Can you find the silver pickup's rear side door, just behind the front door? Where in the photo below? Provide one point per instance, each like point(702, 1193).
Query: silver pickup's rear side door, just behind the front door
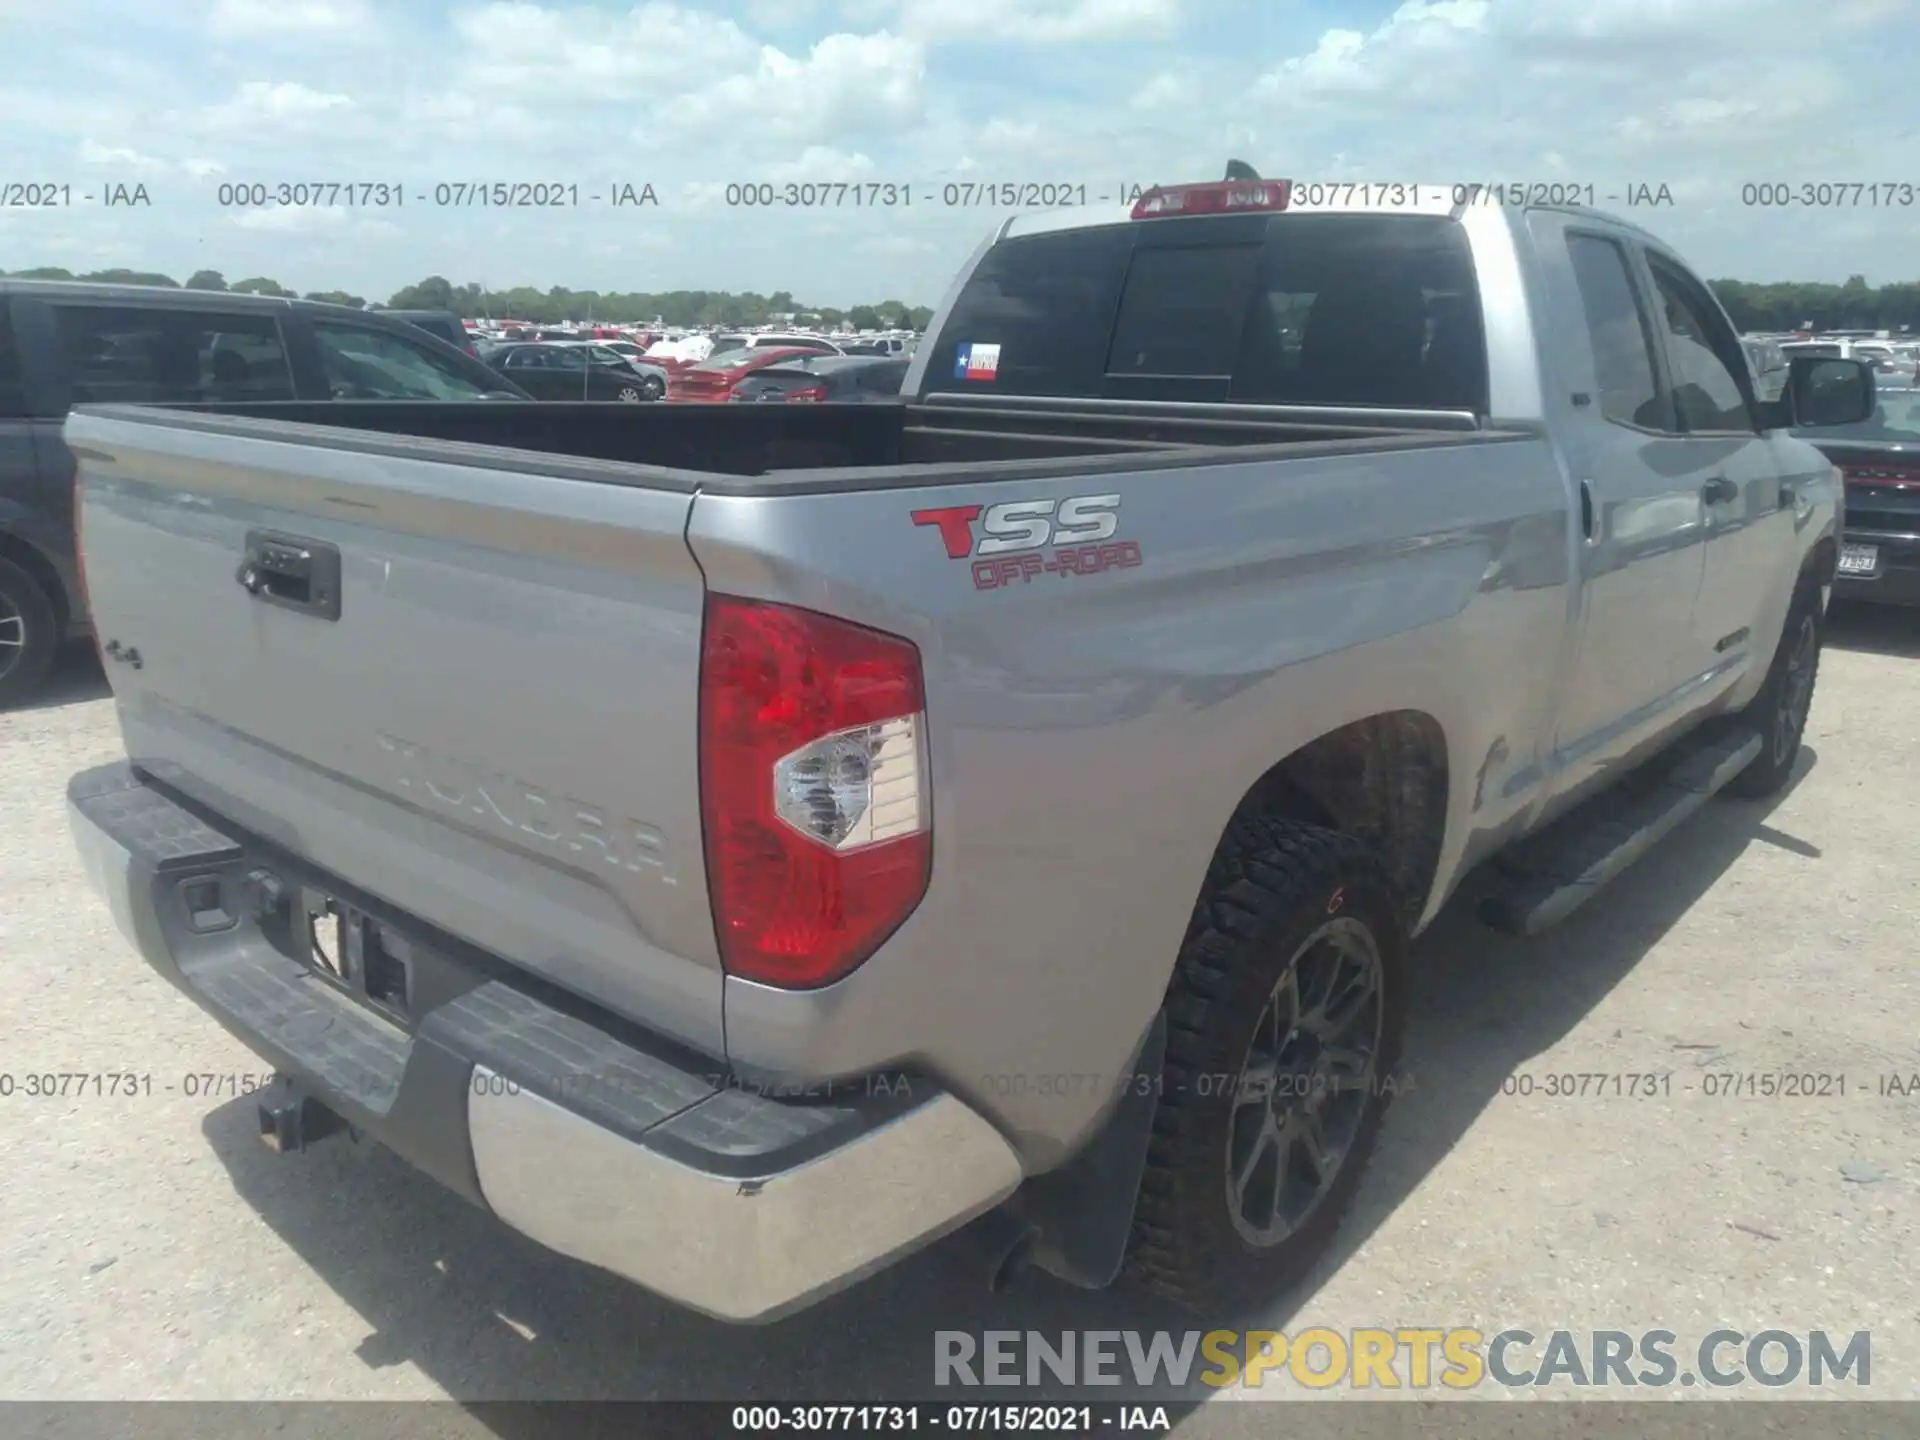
point(1641, 508)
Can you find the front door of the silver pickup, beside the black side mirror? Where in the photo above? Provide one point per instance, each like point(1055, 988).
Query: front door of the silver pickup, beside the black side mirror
point(1750, 540)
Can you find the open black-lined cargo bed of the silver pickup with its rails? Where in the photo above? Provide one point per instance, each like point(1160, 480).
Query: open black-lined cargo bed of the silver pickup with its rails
point(811, 448)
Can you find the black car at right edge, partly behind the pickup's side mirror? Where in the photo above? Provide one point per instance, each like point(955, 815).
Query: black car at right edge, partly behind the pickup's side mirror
point(1881, 466)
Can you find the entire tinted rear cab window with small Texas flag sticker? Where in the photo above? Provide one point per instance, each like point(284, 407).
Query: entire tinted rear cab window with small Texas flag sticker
point(1289, 310)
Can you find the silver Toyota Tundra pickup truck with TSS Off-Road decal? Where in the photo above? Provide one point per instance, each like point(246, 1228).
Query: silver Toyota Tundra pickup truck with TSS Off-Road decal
point(740, 846)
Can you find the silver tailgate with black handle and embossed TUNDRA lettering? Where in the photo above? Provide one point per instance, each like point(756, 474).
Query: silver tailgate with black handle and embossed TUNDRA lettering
point(496, 732)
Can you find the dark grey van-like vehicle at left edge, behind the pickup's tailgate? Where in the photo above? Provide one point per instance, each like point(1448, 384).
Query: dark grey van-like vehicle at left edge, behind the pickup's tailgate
point(68, 343)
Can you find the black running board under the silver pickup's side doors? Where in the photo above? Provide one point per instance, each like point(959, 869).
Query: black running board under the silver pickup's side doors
point(1552, 875)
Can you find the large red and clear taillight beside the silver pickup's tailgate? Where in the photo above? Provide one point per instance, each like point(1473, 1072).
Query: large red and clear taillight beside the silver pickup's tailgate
point(813, 790)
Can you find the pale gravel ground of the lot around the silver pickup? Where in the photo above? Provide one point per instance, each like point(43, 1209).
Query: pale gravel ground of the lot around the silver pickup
point(151, 1247)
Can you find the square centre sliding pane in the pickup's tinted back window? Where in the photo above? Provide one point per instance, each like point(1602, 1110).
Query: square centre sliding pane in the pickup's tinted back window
point(1184, 310)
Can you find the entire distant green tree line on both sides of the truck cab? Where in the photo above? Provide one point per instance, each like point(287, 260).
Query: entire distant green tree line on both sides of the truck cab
point(1752, 306)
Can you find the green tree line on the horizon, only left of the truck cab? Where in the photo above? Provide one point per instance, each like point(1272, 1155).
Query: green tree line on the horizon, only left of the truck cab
point(679, 308)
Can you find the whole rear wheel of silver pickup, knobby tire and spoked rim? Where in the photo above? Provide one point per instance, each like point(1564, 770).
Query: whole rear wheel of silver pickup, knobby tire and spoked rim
point(1284, 1028)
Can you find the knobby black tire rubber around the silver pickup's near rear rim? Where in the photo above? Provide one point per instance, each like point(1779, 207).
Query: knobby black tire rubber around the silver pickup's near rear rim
point(1272, 884)
